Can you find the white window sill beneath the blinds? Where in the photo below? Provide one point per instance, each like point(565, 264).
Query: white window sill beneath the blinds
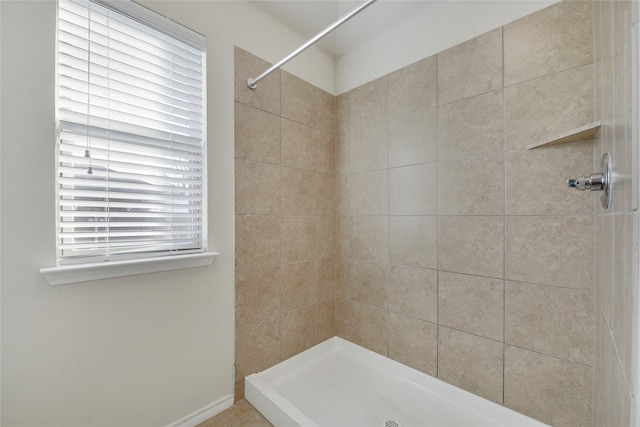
point(66, 274)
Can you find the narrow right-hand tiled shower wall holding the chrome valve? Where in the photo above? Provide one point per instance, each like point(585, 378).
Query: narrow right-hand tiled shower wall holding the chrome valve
point(616, 249)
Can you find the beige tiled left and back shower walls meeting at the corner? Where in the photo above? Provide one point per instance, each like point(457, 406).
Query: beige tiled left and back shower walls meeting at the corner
point(407, 216)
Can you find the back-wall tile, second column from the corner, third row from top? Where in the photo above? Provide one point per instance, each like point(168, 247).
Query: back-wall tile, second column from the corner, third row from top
point(370, 193)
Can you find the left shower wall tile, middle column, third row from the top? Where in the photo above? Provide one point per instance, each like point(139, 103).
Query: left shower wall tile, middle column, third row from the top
point(298, 192)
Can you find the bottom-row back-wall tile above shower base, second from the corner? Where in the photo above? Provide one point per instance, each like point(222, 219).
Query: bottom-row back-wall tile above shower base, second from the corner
point(370, 327)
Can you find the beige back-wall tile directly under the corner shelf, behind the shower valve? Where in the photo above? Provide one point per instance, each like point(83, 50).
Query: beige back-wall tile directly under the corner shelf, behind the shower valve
point(536, 180)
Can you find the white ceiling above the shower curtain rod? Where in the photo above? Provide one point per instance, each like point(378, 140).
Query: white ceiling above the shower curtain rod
point(309, 17)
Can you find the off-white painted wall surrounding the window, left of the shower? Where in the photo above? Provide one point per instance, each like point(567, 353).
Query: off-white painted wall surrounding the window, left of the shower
point(140, 350)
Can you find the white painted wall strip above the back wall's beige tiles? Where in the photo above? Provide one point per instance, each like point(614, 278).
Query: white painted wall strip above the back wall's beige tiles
point(436, 28)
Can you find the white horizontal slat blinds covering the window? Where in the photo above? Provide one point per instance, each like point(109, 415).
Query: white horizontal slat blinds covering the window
point(131, 149)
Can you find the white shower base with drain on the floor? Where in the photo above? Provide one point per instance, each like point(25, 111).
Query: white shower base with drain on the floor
point(338, 383)
